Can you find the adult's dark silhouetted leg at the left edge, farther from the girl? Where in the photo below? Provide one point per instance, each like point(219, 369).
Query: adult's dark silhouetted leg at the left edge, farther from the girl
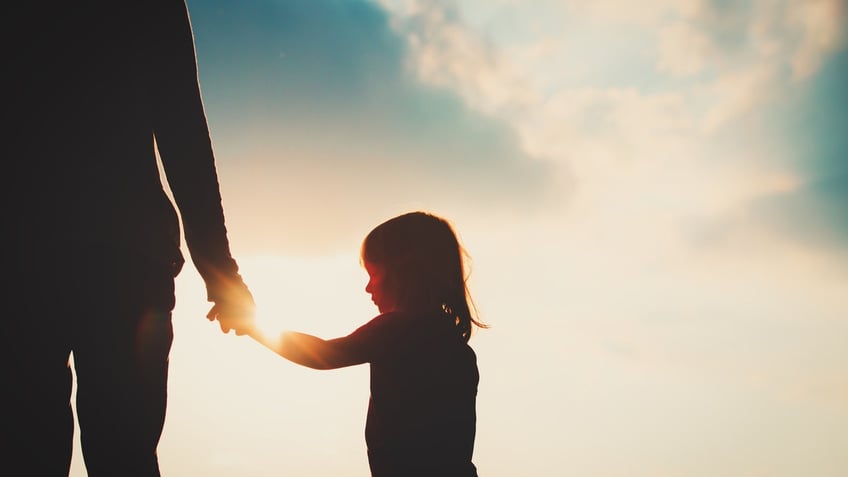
point(38, 423)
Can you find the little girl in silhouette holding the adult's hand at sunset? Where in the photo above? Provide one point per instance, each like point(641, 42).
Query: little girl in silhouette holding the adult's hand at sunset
point(421, 414)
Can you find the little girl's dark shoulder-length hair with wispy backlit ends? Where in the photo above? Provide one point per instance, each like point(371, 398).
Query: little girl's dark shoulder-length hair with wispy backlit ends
point(424, 265)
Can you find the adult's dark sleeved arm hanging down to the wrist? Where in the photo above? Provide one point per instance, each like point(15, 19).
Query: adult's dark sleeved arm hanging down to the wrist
point(185, 147)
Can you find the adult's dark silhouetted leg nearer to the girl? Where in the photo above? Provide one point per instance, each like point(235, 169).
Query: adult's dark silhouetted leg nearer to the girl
point(121, 360)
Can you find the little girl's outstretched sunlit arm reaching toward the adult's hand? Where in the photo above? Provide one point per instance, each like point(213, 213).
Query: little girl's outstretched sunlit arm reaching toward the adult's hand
point(310, 351)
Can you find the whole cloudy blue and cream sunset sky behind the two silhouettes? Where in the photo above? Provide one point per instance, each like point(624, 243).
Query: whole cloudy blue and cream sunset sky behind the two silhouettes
point(654, 195)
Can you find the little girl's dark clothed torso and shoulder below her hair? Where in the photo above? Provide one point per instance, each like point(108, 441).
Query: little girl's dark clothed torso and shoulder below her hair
point(422, 410)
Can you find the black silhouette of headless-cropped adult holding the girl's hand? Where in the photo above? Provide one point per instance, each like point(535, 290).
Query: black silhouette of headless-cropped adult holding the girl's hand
point(93, 88)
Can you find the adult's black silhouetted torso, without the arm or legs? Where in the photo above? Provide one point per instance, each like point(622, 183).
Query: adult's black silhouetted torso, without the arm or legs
point(83, 155)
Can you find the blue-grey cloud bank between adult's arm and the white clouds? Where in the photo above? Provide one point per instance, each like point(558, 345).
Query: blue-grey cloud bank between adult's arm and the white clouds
point(319, 121)
